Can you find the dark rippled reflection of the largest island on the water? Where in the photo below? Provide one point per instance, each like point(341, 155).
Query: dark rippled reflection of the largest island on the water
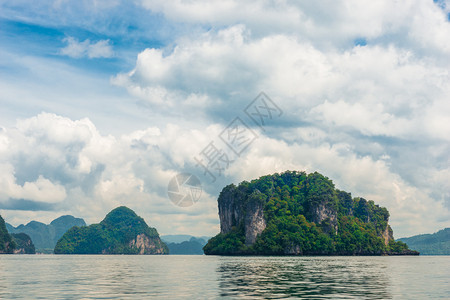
point(309, 277)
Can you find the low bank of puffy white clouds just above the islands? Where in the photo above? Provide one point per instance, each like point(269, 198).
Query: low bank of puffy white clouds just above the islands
point(55, 160)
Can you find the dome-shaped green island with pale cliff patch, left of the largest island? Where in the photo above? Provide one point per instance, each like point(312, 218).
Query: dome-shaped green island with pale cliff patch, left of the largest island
point(120, 232)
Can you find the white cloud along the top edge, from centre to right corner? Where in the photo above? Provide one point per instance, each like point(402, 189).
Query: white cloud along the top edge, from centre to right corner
point(422, 23)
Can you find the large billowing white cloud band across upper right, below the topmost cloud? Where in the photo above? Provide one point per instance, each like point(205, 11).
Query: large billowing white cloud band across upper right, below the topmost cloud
point(375, 89)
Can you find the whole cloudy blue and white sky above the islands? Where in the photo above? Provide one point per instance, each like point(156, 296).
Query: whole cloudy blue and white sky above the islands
point(103, 102)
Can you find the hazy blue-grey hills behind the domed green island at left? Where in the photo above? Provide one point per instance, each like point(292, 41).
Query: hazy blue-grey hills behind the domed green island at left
point(45, 236)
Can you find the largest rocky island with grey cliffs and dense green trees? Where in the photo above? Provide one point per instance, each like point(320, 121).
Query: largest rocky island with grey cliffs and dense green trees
point(294, 213)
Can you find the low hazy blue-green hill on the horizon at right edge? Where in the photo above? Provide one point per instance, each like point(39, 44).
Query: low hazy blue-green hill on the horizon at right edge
point(437, 243)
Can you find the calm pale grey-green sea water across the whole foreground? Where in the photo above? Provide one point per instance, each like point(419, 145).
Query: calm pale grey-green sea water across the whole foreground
point(210, 277)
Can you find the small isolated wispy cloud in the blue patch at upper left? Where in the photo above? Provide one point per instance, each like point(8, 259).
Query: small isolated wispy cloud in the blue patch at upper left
point(86, 48)
